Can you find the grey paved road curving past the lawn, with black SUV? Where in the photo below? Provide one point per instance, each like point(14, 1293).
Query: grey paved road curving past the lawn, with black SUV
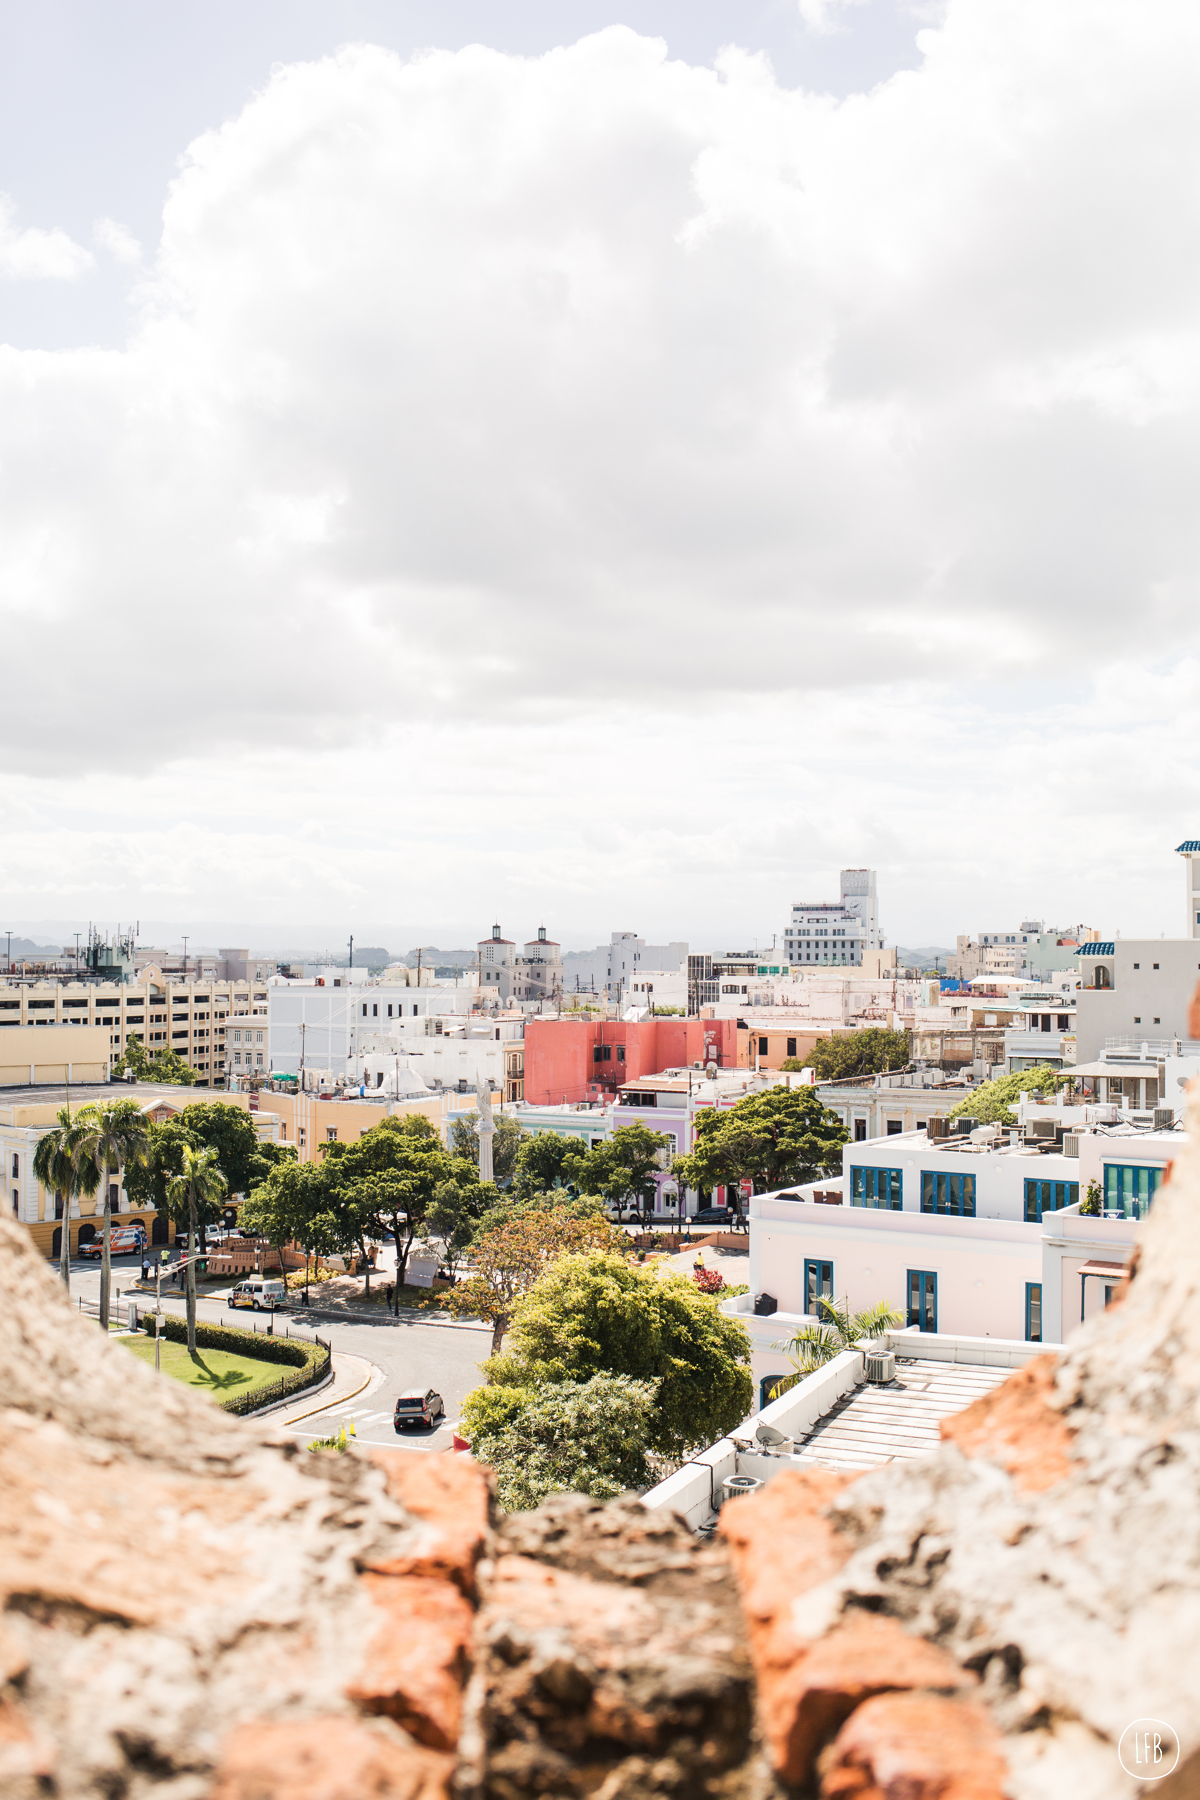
point(409, 1354)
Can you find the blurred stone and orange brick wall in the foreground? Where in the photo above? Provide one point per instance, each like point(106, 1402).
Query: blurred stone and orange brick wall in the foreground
point(193, 1610)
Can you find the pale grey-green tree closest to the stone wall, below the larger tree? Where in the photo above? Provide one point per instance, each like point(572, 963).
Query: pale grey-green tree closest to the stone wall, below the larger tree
point(568, 1437)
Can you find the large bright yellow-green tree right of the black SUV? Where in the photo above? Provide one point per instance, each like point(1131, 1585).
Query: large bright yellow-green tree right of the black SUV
point(598, 1313)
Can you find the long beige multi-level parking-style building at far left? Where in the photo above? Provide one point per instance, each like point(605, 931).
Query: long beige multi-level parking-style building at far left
point(192, 1018)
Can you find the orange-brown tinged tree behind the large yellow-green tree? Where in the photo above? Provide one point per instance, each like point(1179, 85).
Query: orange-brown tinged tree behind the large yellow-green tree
point(514, 1255)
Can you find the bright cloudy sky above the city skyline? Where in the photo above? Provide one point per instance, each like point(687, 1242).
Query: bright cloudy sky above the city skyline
point(598, 465)
